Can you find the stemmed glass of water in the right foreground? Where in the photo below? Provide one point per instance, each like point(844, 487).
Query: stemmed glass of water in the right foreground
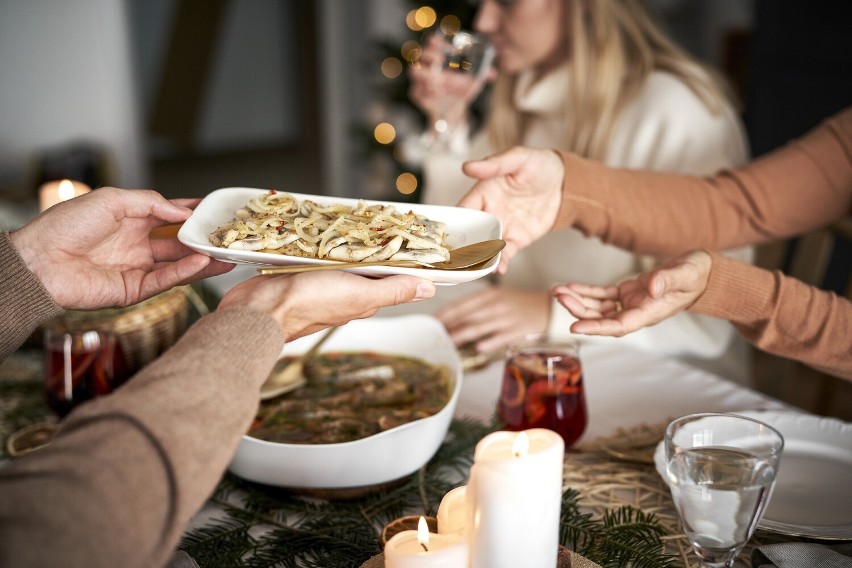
point(721, 470)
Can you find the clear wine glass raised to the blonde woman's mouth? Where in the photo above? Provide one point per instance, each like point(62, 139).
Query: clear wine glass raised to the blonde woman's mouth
point(459, 68)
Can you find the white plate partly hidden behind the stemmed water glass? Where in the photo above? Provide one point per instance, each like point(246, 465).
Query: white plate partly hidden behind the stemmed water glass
point(813, 492)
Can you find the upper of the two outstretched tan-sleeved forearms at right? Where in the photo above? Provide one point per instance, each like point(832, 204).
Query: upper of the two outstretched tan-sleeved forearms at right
point(666, 214)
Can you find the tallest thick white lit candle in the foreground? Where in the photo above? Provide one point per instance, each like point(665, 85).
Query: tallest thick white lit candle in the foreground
point(514, 498)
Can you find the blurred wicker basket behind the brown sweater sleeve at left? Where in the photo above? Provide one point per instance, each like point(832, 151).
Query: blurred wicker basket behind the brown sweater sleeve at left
point(146, 329)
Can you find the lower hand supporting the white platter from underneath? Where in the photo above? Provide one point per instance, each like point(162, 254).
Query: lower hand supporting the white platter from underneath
point(308, 302)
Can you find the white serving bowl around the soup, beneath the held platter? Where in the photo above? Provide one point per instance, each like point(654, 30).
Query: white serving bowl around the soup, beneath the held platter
point(377, 459)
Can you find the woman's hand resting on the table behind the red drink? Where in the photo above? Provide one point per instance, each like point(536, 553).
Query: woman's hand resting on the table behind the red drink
point(496, 317)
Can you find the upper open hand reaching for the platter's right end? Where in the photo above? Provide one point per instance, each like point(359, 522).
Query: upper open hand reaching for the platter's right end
point(523, 188)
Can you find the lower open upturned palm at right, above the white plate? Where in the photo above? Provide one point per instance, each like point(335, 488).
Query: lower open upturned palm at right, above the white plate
point(648, 299)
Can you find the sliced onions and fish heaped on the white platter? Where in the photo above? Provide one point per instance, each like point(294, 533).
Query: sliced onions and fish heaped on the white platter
point(277, 222)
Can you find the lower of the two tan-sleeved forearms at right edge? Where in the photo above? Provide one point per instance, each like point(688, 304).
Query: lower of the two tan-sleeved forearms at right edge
point(781, 315)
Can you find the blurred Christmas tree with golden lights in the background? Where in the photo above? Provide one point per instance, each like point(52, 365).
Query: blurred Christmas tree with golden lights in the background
point(393, 118)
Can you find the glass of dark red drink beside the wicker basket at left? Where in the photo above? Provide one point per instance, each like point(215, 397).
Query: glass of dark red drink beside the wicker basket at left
point(80, 365)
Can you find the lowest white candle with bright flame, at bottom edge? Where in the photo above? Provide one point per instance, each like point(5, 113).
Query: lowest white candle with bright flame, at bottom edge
point(422, 549)
